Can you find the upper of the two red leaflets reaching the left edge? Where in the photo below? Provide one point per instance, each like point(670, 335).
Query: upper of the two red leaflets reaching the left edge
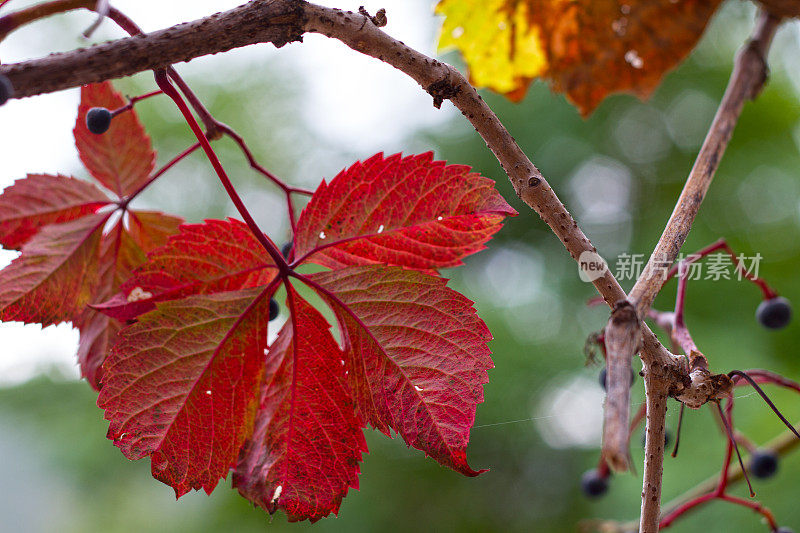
point(41, 199)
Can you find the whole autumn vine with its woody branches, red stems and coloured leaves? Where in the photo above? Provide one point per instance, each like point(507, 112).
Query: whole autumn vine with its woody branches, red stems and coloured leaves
point(175, 319)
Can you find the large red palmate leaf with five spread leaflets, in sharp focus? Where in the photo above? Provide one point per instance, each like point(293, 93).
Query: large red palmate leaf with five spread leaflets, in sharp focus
point(414, 354)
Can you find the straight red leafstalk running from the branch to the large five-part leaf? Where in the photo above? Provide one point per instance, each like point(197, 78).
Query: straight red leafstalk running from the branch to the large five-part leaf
point(163, 82)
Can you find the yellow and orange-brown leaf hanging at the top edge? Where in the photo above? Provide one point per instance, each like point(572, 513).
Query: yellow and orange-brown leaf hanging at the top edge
point(585, 48)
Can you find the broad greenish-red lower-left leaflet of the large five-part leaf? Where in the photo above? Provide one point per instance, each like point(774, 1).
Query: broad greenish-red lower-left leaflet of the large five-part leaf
point(182, 385)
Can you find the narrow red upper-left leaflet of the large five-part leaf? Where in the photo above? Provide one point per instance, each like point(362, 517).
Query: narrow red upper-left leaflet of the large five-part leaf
point(203, 258)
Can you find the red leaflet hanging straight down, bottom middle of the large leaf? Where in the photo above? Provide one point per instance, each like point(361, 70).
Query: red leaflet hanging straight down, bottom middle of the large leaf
point(307, 442)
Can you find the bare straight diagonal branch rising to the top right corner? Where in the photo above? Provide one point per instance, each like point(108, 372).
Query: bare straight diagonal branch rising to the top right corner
point(747, 79)
